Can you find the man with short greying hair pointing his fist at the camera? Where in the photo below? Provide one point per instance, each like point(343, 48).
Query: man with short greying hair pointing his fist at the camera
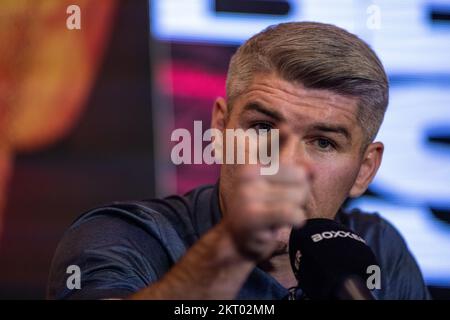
point(326, 92)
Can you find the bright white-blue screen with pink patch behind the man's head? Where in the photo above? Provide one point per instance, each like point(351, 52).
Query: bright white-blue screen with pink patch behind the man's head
point(412, 189)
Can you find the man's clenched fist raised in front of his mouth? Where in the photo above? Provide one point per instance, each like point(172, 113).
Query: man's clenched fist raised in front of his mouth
point(262, 206)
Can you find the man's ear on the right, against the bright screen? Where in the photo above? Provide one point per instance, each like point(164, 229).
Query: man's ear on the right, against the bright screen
point(370, 163)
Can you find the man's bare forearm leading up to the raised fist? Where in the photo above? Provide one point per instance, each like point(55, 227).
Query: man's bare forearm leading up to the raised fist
point(212, 269)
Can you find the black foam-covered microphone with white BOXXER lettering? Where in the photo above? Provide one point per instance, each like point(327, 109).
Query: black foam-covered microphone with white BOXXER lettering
point(330, 261)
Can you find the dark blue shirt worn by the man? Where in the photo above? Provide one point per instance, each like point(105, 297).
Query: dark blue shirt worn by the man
point(126, 246)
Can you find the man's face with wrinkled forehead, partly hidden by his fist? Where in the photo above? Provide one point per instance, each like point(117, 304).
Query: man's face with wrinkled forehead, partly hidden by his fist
point(318, 130)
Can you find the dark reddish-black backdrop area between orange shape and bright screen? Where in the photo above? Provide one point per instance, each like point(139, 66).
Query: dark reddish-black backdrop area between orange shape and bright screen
point(107, 157)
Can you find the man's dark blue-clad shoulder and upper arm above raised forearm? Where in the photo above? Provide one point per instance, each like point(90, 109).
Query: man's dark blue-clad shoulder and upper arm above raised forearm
point(128, 245)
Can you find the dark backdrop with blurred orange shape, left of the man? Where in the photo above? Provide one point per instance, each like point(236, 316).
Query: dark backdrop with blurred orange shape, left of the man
point(75, 125)
